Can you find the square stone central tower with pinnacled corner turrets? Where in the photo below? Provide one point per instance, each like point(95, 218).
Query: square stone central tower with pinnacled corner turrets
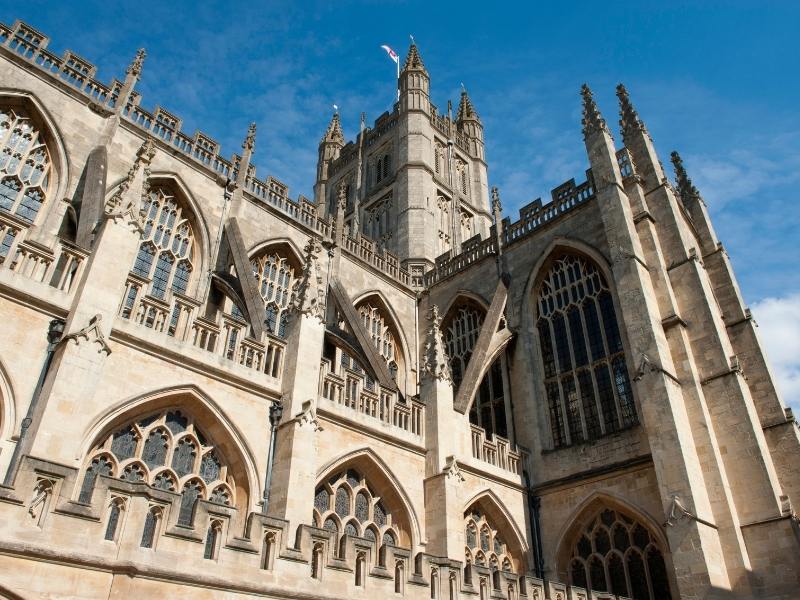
point(416, 182)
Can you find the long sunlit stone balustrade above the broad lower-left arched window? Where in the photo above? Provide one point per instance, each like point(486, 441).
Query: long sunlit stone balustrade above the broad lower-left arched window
point(178, 317)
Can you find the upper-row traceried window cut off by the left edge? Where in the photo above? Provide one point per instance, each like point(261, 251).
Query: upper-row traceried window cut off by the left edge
point(25, 165)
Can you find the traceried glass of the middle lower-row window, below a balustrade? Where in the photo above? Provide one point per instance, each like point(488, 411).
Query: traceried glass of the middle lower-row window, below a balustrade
point(346, 504)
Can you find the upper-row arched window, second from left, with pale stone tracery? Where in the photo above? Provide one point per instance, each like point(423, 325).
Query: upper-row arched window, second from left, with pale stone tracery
point(166, 251)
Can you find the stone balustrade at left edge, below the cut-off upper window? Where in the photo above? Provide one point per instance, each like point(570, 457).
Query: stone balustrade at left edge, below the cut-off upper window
point(60, 268)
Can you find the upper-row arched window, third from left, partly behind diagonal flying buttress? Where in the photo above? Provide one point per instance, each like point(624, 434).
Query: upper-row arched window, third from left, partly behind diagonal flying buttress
point(276, 277)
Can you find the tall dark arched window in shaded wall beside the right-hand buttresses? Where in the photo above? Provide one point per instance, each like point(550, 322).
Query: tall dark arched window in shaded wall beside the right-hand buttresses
point(586, 378)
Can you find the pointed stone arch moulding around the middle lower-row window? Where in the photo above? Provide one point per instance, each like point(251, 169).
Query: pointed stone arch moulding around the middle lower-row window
point(385, 484)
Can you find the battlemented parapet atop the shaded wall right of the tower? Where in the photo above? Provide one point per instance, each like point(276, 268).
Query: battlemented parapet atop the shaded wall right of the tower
point(533, 216)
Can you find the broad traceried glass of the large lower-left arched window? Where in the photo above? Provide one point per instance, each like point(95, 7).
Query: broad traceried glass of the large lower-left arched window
point(166, 451)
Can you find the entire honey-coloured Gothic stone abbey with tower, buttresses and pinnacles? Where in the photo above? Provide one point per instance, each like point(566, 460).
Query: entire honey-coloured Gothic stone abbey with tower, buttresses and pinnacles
point(392, 390)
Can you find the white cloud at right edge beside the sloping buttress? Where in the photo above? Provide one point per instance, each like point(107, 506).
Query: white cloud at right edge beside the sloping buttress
point(779, 328)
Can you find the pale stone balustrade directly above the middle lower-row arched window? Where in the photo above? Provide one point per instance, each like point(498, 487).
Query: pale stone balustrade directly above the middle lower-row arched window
point(356, 391)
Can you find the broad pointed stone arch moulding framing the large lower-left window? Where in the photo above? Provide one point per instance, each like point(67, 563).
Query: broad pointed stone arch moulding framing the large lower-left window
point(213, 419)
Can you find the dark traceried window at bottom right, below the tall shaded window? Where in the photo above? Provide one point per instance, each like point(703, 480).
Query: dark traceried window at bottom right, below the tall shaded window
point(618, 554)
